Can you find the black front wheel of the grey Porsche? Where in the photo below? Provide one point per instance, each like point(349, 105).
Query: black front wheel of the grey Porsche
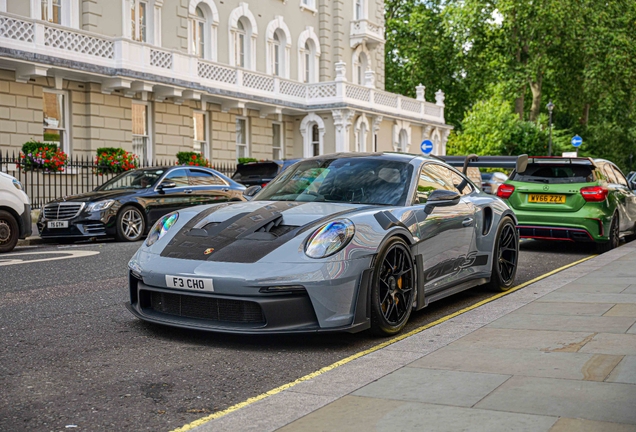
point(393, 288)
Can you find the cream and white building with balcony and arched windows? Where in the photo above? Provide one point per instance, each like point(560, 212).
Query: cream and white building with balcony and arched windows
point(261, 78)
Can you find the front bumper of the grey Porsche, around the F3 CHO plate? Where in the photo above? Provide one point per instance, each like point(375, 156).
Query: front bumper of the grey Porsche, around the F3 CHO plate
point(239, 305)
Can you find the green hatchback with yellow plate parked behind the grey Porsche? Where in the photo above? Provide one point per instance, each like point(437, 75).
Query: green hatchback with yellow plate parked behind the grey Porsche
point(572, 199)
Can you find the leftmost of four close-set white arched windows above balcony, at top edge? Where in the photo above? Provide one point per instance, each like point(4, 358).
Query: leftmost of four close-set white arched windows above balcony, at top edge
point(203, 23)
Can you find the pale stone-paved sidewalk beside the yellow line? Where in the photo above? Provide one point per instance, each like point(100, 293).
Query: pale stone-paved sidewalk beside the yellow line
point(557, 355)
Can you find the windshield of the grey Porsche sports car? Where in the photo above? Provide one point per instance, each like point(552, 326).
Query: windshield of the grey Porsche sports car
point(361, 180)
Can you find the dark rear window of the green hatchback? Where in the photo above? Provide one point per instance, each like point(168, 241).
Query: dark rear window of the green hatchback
point(555, 174)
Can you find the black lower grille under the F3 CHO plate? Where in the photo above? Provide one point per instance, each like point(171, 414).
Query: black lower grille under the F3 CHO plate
point(213, 309)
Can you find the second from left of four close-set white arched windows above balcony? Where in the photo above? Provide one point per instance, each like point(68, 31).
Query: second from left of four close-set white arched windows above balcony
point(243, 34)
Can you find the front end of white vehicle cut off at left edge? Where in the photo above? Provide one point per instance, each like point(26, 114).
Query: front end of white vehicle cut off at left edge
point(15, 213)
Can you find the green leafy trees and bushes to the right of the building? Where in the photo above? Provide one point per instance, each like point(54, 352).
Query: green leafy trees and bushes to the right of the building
point(580, 54)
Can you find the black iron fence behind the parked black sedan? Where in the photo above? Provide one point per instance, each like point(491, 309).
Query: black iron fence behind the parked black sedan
point(81, 174)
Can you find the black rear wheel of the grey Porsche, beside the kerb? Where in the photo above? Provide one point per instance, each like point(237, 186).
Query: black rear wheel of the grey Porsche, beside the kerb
point(505, 256)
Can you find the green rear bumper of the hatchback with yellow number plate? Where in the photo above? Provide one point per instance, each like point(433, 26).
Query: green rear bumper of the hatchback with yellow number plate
point(581, 226)
